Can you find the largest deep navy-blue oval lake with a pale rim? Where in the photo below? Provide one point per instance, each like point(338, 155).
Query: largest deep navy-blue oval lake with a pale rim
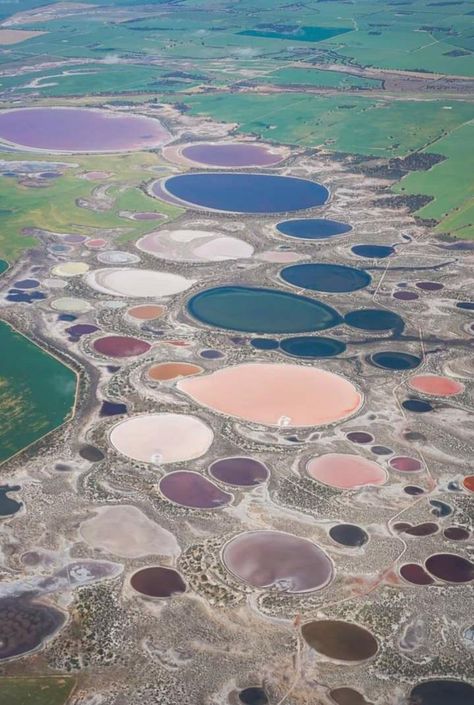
point(246, 193)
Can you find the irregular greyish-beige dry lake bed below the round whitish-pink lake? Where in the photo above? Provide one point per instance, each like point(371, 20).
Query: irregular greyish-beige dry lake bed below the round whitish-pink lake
point(126, 531)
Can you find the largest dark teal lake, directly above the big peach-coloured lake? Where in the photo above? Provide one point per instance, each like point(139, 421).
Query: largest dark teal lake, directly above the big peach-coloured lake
point(259, 310)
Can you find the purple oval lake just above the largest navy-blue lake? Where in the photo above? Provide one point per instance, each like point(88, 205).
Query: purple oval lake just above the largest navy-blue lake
point(231, 154)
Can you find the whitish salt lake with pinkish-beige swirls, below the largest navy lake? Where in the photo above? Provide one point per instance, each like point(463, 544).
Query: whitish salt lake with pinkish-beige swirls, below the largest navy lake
point(194, 246)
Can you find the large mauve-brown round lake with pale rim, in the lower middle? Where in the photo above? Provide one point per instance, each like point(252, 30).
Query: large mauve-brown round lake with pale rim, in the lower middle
point(265, 559)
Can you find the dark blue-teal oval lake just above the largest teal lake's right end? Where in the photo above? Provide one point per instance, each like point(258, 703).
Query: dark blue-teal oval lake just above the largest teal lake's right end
point(330, 278)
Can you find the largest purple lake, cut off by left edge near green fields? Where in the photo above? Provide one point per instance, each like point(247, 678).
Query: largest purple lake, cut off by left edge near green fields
point(80, 130)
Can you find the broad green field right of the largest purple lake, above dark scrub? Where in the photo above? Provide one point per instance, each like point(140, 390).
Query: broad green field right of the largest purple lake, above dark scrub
point(349, 124)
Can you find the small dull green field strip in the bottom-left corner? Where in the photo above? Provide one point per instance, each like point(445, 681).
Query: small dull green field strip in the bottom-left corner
point(47, 690)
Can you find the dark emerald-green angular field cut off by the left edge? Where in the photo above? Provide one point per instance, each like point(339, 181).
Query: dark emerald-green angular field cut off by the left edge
point(36, 392)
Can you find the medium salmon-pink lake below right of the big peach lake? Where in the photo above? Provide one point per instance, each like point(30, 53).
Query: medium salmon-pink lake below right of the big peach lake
point(346, 471)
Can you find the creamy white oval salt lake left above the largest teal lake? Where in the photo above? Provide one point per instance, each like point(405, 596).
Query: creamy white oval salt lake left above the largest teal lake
point(137, 282)
